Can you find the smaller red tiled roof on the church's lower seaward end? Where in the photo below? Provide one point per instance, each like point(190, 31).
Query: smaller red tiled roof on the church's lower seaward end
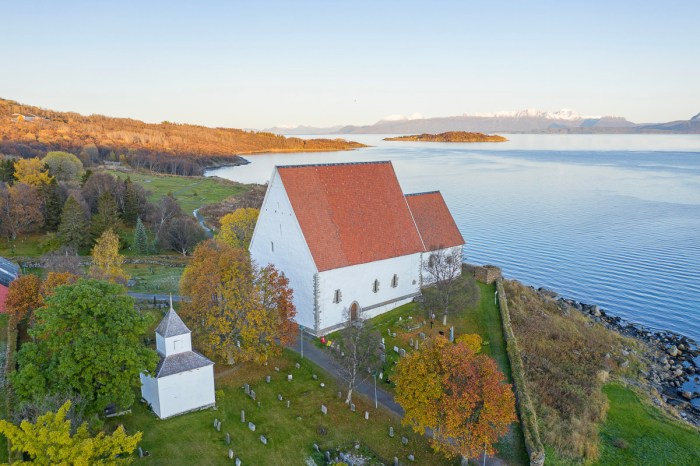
point(435, 224)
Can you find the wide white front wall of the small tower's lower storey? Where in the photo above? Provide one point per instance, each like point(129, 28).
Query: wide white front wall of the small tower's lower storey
point(186, 391)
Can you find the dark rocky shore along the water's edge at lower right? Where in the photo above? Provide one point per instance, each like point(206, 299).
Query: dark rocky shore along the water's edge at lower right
point(673, 363)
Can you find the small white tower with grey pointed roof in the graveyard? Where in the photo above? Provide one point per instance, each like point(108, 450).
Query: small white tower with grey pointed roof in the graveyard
point(184, 379)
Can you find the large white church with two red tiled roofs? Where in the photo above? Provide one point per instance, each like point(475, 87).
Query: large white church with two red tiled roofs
point(349, 240)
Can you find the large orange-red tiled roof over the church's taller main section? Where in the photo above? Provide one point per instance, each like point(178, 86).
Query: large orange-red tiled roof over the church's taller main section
point(350, 213)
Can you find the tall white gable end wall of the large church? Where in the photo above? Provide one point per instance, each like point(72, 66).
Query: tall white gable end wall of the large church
point(278, 225)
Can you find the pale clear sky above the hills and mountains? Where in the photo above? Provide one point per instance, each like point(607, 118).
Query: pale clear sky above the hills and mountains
point(258, 64)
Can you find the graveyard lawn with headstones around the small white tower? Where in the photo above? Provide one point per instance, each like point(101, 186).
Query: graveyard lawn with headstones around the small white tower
point(291, 432)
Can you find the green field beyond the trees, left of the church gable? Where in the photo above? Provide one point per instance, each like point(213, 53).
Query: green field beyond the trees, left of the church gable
point(191, 192)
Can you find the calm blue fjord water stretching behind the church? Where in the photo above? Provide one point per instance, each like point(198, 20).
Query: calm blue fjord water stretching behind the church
point(606, 219)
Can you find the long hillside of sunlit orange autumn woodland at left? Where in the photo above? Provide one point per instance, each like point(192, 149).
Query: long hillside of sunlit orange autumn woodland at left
point(27, 130)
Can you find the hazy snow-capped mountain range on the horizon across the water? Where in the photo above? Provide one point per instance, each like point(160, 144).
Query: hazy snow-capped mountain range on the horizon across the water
point(524, 121)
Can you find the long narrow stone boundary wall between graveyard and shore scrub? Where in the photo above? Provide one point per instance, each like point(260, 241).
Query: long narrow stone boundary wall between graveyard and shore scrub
point(528, 416)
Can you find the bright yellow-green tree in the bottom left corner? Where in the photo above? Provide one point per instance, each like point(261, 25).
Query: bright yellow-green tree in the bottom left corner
point(50, 441)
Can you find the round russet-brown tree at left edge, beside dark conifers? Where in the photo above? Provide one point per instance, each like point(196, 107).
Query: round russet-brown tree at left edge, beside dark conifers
point(20, 209)
